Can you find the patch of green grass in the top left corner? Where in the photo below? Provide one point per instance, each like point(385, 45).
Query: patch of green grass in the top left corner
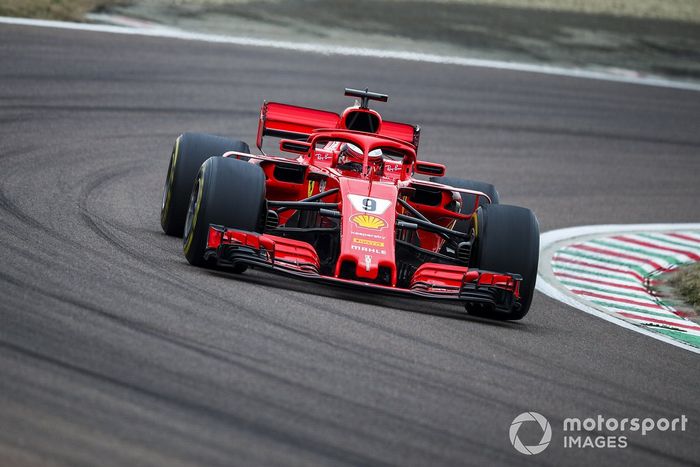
point(68, 10)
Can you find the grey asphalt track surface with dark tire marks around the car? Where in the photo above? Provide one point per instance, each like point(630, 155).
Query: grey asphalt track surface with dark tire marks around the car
point(114, 351)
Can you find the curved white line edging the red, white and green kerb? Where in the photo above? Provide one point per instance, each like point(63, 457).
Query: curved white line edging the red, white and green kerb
point(546, 286)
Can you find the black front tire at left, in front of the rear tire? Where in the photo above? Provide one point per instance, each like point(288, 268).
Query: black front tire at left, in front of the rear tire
point(226, 192)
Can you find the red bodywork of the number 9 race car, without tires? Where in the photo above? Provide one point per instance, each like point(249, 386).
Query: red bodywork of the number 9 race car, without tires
point(365, 218)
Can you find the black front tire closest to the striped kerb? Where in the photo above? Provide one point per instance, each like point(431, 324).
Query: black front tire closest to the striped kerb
point(508, 241)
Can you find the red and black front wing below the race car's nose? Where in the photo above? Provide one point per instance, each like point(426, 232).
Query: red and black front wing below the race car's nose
point(229, 247)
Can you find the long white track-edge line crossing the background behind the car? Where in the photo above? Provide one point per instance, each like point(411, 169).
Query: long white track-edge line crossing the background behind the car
point(626, 76)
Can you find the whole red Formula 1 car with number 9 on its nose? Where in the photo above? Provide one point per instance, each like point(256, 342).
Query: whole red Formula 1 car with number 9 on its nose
point(347, 209)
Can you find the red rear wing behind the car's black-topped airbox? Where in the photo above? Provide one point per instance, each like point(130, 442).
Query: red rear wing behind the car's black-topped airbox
point(294, 122)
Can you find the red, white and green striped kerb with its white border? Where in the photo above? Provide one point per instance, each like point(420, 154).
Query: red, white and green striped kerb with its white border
point(611, 271)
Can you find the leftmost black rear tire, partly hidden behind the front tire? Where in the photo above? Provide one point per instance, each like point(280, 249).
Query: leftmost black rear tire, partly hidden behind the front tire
point(189, 152)
